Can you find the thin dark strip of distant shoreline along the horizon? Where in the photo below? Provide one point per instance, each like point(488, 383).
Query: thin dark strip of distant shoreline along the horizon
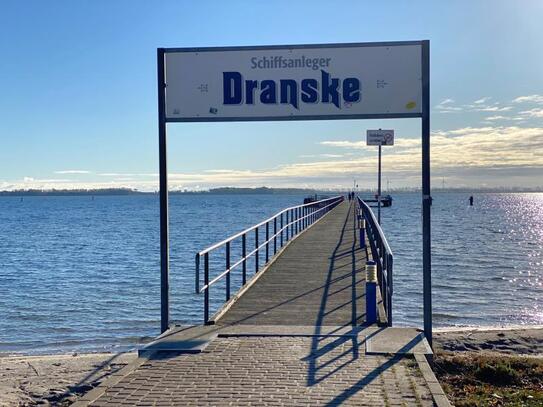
point(246, 191)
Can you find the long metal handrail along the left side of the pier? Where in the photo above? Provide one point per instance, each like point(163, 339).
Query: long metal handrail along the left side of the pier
point(286, 224)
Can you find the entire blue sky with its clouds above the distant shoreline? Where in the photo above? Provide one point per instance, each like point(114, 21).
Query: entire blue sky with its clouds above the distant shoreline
point(78, 82)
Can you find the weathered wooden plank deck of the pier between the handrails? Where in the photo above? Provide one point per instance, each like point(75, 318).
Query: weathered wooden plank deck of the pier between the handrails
point(318, 280)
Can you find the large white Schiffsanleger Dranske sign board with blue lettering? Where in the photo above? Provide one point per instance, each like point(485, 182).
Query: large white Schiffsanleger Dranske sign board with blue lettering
point(294, 82)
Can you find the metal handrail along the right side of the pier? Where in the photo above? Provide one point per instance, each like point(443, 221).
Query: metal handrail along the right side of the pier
point(382, 255)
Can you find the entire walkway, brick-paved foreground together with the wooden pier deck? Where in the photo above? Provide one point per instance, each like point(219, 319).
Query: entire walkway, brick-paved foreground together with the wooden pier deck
point(295, 335)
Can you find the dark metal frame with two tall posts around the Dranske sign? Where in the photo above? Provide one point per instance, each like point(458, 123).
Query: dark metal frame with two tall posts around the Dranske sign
point(424, 115)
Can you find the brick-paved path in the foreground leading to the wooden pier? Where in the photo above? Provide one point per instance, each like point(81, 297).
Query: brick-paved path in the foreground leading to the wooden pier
point(273, 371)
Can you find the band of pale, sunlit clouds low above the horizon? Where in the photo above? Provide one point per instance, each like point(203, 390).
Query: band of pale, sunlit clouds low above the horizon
point(458, 153)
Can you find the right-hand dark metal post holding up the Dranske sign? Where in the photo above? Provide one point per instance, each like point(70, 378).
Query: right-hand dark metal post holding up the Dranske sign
point(426, 198)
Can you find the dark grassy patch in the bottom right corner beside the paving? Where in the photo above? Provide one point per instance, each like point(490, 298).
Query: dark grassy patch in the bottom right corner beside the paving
point(490, 380)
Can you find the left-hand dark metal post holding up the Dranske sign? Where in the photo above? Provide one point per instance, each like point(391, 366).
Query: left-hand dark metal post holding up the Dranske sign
point(163, 182)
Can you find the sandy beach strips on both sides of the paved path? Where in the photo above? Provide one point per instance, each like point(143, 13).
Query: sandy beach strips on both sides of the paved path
point(60, 379)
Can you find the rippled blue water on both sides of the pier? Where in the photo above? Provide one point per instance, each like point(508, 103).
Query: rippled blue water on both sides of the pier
point(83, 274)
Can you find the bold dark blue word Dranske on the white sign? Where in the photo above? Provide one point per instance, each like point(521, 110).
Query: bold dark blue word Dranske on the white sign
point(237, 91)
